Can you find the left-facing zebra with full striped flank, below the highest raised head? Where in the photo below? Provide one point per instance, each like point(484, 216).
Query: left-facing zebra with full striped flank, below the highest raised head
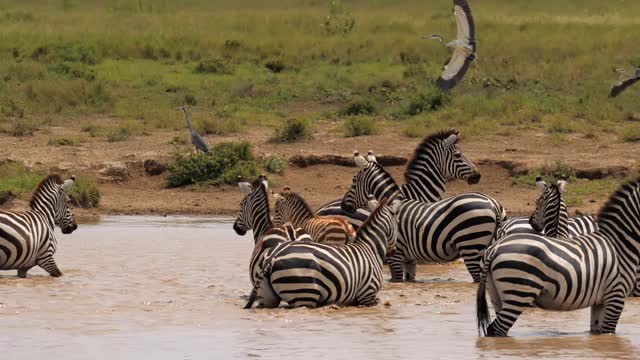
point(461, 226)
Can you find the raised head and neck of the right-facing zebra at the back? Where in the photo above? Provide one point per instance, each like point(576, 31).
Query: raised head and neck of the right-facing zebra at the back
point(437, 159)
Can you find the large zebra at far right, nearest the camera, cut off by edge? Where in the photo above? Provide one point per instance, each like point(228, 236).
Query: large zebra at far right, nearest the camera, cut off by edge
point(596, 270)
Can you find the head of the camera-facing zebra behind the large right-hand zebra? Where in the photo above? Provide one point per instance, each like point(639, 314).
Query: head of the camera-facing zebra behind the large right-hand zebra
point(549, 207)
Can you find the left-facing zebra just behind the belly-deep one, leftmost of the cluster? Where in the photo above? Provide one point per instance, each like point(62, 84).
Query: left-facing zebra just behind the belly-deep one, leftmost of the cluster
point(254, 215)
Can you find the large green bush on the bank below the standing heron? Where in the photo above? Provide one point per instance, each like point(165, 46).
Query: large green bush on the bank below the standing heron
point(221, 165)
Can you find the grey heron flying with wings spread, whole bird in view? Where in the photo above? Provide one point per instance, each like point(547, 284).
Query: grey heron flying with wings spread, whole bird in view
point(464, 47)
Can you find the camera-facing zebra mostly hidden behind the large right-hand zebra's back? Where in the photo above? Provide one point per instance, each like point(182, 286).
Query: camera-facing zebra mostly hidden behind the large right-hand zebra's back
point(569, 227)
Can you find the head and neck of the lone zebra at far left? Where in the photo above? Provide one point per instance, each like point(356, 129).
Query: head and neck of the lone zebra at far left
point(50, 197)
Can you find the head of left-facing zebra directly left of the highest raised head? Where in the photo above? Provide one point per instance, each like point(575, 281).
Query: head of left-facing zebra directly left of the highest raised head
point(371, 179)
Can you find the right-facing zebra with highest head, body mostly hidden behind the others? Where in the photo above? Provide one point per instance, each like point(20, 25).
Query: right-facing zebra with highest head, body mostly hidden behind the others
point(435, 160)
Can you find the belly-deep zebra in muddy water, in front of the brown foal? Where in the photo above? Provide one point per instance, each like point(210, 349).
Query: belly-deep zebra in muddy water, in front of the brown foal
point(312, 275)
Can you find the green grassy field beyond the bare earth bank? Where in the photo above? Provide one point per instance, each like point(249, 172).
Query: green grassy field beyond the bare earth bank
point(542, 64)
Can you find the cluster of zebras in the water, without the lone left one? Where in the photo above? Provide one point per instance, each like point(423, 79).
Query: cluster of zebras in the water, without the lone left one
point(548, 260)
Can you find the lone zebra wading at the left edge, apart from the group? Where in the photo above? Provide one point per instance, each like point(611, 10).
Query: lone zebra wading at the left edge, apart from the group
point(27, 238)
